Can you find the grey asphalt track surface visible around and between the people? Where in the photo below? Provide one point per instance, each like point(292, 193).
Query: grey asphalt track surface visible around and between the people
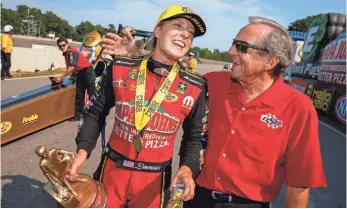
point(22, 179)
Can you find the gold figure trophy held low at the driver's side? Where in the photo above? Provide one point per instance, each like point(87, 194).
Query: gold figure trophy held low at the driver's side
point(85, 192)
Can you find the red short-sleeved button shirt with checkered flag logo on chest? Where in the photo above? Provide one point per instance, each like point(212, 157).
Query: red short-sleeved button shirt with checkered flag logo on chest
point(254, 147)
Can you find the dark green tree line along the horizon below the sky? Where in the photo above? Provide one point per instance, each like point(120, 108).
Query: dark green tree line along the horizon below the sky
point(51, 22)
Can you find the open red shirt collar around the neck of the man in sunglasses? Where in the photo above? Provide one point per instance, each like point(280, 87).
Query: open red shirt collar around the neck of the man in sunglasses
point(275, 93)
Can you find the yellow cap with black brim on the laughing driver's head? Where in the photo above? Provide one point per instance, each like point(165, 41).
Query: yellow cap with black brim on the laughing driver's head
point(176, 11)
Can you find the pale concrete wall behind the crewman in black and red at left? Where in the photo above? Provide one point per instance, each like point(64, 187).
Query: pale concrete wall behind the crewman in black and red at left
point(28, 59)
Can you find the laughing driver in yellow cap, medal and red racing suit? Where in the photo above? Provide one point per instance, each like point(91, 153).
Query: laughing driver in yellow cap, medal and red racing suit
point(153, 96)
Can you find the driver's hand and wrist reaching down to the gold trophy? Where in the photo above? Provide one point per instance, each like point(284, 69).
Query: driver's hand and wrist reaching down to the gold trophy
point(77, 164)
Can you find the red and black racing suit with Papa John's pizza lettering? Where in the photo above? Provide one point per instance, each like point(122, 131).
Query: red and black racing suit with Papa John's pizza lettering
point(142, 179)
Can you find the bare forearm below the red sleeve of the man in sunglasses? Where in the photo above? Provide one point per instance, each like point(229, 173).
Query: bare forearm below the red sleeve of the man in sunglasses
point(296, 197)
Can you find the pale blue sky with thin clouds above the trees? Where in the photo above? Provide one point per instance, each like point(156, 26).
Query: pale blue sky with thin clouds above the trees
point(223, 18)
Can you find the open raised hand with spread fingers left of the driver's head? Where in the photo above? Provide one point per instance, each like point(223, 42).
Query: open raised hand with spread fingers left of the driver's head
point(117, 45)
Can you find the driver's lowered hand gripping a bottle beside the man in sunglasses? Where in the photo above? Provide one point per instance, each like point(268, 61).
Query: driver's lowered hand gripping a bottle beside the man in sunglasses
point(184, 175)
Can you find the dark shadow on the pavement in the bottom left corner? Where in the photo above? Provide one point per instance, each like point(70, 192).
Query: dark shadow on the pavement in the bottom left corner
point(20, 191)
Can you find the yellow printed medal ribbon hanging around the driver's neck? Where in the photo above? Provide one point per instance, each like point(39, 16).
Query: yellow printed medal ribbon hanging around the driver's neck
point(142, 115)
